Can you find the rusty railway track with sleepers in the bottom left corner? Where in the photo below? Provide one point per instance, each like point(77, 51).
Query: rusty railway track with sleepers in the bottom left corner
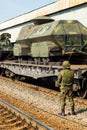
point(12, 118)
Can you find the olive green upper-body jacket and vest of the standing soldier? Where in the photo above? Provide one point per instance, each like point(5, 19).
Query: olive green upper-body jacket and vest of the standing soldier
point(66, 77)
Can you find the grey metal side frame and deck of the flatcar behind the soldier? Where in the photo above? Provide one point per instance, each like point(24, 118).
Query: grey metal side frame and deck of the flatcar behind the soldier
point(40, 71)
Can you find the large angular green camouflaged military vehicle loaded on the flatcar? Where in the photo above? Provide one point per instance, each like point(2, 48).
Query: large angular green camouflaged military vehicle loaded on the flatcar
point(52, 41)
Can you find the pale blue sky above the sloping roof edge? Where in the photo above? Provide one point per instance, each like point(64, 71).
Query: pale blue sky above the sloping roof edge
point(13, 8)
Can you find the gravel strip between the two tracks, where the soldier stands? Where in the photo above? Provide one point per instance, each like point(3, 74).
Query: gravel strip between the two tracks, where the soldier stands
point(44, 104)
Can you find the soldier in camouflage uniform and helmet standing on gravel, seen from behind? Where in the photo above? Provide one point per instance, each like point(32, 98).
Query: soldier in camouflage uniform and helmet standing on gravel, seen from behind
point(65, 80)
